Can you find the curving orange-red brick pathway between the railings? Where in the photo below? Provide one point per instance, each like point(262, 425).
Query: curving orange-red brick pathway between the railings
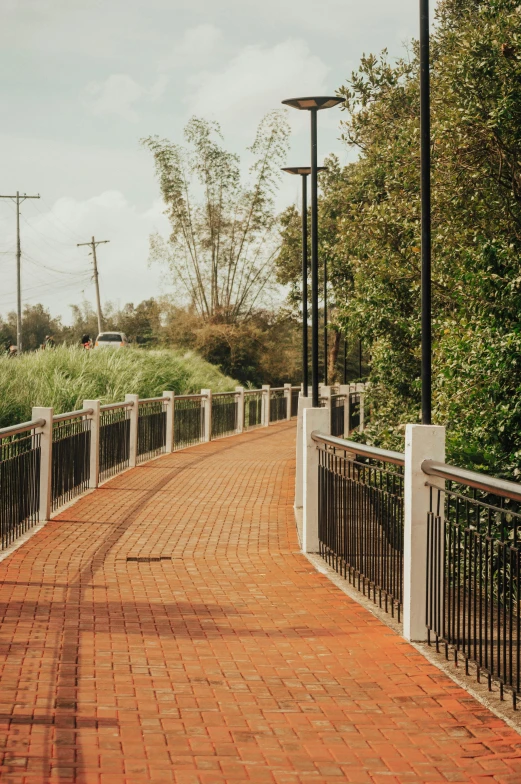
point(225, 659)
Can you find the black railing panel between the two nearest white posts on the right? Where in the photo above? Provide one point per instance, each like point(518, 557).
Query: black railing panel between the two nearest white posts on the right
point(360, 525)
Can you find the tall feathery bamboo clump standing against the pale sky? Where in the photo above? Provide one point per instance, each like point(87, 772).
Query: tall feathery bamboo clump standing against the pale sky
point(223, 238)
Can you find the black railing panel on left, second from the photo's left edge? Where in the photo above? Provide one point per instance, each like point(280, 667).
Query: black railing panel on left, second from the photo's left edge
point(70, 457)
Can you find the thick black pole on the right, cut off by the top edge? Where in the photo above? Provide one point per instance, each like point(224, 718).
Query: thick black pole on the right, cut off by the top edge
point(426, 242)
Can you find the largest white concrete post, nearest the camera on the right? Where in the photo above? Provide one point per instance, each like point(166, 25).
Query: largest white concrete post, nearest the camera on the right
point(422, 442)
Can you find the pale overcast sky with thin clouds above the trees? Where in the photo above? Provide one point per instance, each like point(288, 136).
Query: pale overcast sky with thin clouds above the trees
point(83, 80)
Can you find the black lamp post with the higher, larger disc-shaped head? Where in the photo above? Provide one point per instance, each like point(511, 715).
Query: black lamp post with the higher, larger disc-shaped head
point(314, 105)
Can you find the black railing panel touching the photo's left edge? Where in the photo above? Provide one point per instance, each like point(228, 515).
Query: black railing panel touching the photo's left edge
point(19, 483)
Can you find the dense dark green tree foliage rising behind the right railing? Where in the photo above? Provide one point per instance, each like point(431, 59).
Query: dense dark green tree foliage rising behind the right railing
point(371, 232)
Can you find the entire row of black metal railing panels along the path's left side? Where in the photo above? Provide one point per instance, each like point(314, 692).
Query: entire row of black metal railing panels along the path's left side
point(72, 439)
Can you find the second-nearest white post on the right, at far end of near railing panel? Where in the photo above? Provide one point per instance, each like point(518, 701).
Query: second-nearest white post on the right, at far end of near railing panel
point(314, 419)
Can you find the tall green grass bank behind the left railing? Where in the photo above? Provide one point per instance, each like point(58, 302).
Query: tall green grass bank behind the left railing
point(65, 376)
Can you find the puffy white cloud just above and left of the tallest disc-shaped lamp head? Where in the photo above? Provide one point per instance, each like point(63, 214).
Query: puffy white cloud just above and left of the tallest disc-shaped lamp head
point(257, 79)
